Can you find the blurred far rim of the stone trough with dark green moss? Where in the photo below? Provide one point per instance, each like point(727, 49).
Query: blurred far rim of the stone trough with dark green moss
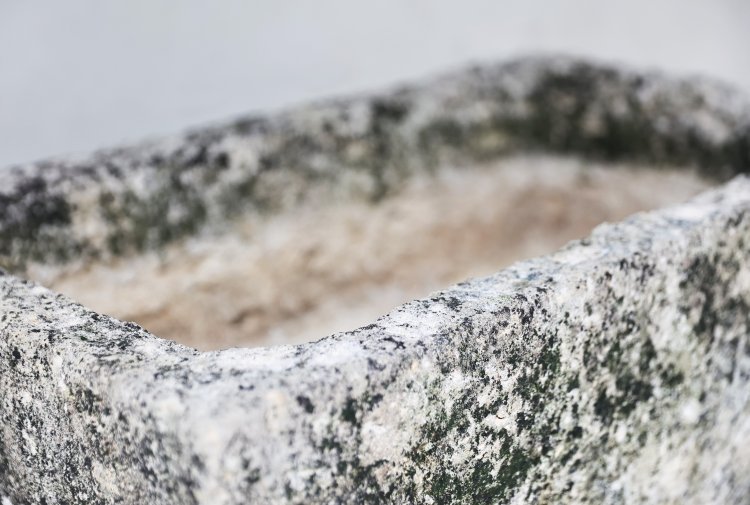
point(132, 199)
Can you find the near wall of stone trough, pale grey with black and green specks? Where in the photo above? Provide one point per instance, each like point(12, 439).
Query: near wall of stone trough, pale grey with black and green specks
point(614, 371)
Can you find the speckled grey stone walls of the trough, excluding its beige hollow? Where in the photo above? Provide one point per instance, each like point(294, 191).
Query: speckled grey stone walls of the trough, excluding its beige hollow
point(614, 371)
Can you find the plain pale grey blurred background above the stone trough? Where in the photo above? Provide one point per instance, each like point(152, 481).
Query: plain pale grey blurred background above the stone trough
point(81, 74)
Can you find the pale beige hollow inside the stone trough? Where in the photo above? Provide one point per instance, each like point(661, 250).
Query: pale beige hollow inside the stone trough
point(302, 275)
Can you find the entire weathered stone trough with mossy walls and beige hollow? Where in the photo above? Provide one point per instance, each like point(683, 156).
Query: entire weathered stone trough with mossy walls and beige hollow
point(615, 370)
